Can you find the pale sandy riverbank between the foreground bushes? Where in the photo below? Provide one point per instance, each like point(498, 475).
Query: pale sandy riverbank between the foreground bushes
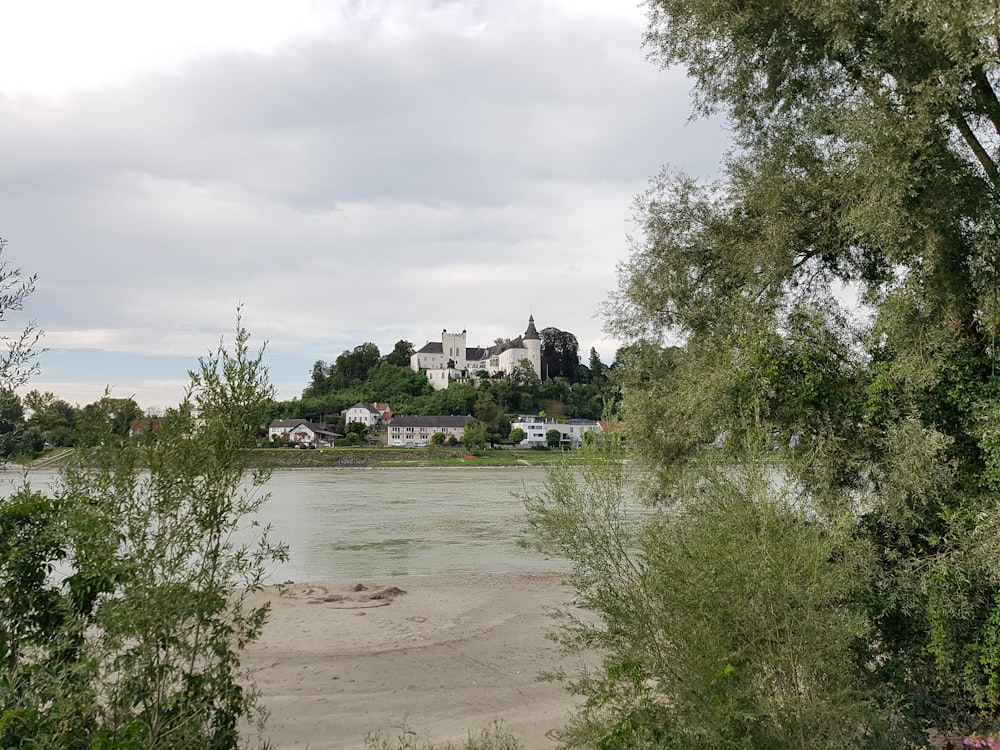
point(451, 654)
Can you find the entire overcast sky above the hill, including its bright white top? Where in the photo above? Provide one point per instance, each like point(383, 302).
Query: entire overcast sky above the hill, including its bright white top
point(348, 170)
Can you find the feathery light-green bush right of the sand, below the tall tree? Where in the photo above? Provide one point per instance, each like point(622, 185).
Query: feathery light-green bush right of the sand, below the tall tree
point(723, 620)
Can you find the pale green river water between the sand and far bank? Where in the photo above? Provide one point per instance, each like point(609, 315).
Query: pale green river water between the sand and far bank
point(372, 522)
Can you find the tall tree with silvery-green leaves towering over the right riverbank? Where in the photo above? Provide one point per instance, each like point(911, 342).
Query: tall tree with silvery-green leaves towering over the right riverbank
point(866, 158)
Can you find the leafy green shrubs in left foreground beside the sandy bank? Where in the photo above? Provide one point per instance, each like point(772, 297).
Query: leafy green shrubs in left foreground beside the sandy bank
point(137, 642)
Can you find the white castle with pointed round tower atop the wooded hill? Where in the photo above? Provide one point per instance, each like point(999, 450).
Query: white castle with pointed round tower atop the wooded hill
point(453, 360)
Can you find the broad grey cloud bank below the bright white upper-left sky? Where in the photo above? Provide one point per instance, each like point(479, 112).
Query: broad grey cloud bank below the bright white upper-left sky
point(474, 176)
